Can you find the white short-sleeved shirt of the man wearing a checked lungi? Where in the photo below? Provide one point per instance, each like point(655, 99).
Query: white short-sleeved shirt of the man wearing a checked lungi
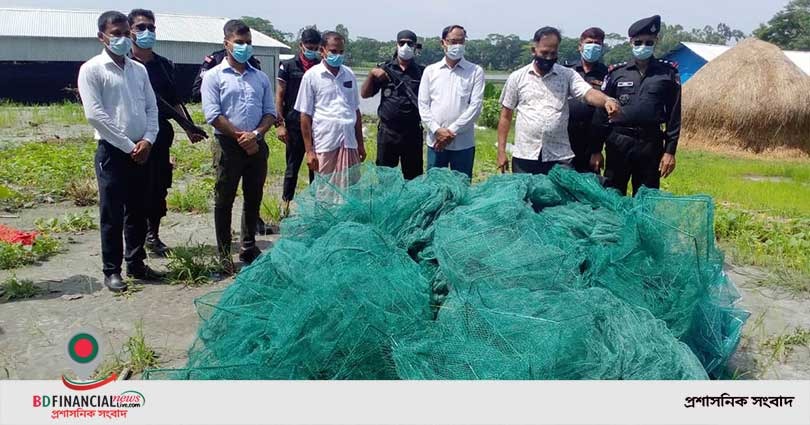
point(332, 101)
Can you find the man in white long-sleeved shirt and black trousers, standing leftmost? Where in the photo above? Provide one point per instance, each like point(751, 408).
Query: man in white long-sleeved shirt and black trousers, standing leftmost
point(120, 105)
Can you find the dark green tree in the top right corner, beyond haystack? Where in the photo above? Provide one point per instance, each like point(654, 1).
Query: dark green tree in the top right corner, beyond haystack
point(789, 28)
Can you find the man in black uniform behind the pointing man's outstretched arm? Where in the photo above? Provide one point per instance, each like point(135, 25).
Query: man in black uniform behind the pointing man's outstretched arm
point(581, 120)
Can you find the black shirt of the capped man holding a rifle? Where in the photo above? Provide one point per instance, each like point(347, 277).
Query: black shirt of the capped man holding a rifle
point(396, 110)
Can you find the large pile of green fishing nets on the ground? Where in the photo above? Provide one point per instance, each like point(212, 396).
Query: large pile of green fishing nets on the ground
point(519, 277)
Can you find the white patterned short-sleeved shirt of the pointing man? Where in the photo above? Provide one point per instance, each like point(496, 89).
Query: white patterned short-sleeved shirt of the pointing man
point(542, 110)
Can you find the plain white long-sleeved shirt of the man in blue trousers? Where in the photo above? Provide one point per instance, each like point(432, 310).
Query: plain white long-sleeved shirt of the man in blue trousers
point(451, 98)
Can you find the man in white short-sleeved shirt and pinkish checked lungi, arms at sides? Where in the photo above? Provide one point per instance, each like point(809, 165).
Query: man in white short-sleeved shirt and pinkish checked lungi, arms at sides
point(329, 103)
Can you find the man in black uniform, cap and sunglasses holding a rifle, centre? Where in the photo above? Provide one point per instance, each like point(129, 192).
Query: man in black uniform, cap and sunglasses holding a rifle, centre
point(399, 136)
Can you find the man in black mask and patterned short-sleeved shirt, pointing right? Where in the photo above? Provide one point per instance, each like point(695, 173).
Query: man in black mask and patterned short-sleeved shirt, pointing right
point(540, 92)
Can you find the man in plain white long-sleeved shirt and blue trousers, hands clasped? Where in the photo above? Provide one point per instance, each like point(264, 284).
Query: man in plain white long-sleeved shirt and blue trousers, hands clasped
point(450, 98)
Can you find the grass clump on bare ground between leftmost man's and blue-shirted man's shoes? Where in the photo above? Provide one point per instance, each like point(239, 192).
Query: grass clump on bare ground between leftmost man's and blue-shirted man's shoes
point(192, 265)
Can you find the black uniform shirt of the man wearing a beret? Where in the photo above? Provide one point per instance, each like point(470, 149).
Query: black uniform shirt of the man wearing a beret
point(648, 101)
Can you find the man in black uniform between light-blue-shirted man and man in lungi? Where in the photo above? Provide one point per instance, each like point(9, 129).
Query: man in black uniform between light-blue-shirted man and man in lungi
point(288, 127)
